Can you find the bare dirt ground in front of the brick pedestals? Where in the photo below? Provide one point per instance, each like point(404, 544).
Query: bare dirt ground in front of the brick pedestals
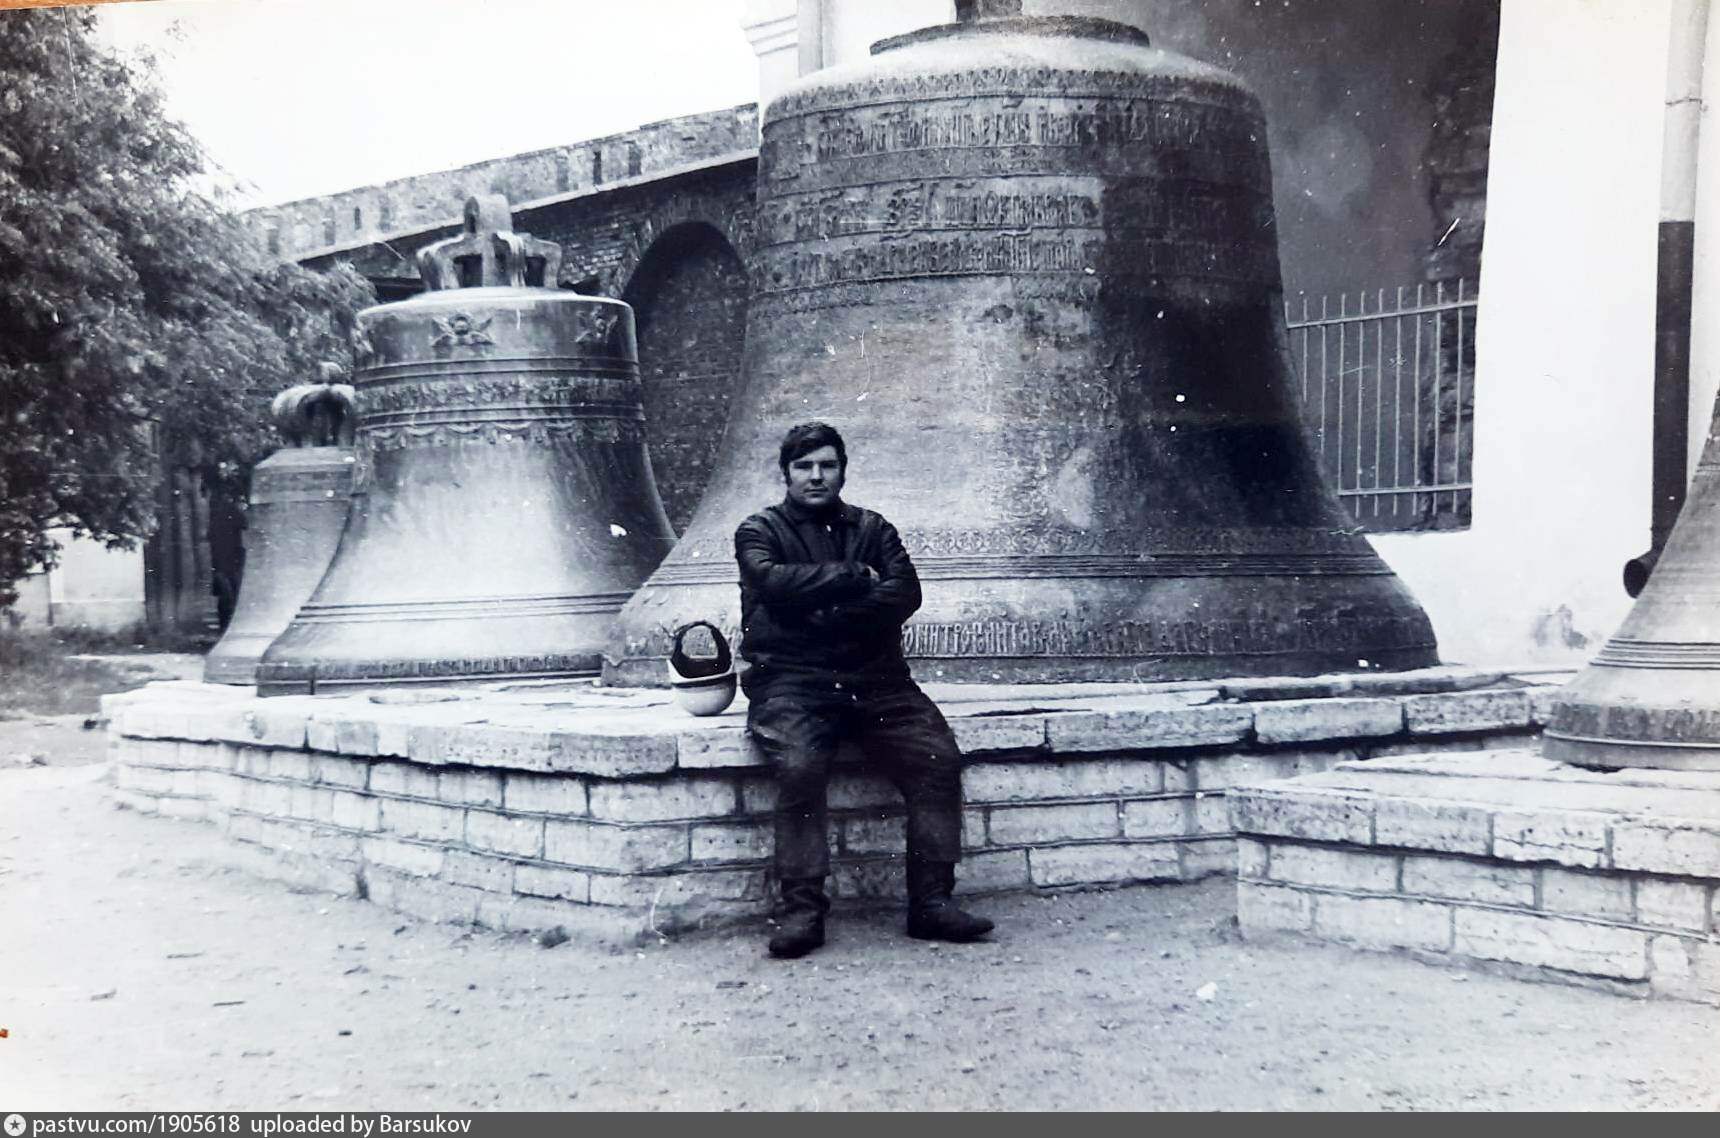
point(140, 972)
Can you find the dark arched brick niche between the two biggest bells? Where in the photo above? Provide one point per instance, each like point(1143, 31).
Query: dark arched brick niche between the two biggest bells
point(689, 297)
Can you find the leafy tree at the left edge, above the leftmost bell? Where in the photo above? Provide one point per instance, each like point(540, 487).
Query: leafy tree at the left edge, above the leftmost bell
point(137, 312)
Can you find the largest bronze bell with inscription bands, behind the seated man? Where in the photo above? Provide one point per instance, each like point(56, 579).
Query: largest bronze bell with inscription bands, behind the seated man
point(1029, 269)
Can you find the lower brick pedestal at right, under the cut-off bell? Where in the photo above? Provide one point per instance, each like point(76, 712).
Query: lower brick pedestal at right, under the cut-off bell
point(1499, 857)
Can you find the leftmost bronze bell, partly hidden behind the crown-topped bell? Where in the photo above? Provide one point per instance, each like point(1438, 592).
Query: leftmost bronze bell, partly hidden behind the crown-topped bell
point(298, 508)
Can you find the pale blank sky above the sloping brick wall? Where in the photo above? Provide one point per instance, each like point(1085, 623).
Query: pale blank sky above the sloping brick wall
point(297, 99)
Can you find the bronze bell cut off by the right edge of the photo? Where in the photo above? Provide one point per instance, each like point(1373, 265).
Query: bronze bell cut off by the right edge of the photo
point(1652, 695)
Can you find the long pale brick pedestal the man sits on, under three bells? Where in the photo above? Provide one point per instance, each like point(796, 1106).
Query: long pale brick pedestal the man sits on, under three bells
point(539, 805)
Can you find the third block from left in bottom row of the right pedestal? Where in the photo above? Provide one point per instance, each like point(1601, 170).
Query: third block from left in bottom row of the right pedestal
point(1545, 941)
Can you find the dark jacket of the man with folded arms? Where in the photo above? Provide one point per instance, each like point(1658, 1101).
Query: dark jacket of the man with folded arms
point(809, 611)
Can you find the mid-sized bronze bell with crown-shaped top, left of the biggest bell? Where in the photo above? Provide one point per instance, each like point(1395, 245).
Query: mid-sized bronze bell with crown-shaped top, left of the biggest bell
point(505, 505)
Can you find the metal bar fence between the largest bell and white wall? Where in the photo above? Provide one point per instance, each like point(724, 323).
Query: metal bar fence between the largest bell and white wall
point(1387, 386)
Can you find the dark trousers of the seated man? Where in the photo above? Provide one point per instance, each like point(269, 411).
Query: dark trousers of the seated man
point(902, 735)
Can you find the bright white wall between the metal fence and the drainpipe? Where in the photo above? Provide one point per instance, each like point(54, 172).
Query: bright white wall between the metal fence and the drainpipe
point(1564, 352)
